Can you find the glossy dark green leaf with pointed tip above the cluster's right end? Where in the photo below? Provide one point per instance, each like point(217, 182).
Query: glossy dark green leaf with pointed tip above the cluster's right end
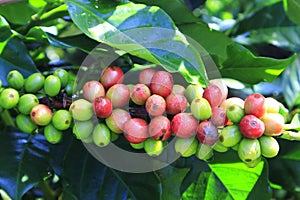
point(242, 65)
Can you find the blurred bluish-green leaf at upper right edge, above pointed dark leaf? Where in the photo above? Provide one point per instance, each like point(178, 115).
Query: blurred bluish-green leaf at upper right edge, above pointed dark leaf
point(283, 37)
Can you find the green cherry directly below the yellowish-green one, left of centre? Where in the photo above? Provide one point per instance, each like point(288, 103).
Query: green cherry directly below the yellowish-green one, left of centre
point(83, 129)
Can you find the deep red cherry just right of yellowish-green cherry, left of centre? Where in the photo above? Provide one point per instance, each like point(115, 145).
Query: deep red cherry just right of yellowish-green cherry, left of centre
point(102, 107)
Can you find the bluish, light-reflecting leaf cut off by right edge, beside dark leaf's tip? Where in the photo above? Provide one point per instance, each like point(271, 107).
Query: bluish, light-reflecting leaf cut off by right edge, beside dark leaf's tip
point(291, 84)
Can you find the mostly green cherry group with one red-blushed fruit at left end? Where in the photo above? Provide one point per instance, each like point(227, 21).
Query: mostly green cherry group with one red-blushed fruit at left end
point(40, 102)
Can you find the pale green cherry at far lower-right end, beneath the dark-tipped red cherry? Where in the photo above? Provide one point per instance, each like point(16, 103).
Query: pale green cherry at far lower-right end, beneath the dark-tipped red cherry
point(269, 146)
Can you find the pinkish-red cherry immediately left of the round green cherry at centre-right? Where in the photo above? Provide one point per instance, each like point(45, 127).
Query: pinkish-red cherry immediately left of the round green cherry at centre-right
point(176, 103)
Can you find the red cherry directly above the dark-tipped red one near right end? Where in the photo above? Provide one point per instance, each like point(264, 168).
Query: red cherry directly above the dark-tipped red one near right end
point(254, 105)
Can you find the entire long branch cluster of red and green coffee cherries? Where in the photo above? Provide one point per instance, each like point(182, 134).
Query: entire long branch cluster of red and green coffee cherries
point(149, 114)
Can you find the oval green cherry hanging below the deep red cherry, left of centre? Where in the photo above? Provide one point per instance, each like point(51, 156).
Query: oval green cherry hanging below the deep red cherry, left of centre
point(101, 135)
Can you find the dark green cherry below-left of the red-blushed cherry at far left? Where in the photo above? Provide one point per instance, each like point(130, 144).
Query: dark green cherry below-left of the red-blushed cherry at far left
point(25, 124)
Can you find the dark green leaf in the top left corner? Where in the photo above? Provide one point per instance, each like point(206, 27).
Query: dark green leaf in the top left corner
point(12, 12)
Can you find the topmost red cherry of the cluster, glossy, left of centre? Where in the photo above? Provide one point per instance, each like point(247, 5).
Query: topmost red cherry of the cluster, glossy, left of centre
point(111, 75)
